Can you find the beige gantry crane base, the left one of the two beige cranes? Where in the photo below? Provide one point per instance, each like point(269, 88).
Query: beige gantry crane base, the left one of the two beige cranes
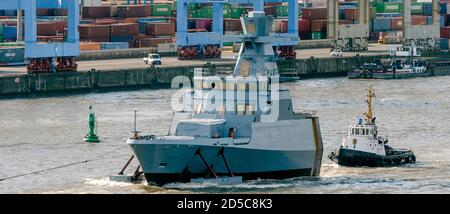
point(348, 37)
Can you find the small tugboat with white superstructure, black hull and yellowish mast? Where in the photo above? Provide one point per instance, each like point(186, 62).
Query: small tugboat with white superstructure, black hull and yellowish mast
point(364, 147)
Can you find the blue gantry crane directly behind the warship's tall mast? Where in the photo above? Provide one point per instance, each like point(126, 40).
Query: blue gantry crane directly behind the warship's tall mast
point(208, 44)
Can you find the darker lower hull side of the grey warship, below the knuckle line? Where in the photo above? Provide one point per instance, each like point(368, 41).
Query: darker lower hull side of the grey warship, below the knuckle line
point(183, 164)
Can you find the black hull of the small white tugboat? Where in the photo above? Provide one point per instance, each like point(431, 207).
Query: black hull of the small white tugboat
point(348, 157)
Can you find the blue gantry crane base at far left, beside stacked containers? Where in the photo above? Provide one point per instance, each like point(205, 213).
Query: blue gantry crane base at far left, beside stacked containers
point(48, 57)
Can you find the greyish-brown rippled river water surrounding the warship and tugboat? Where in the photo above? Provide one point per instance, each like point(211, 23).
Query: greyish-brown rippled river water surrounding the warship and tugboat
point(47, 133)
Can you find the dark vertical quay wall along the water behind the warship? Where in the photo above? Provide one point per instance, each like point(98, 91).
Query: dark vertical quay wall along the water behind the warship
point(155, 78)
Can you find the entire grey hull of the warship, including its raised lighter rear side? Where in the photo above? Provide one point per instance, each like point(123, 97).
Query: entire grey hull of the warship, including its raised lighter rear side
point(176, 159)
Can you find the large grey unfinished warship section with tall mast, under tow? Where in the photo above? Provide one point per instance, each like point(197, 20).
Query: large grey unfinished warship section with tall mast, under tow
point(243, 124)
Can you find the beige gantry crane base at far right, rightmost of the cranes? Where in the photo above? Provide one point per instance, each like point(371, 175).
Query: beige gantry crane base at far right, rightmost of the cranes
point(423, 37)
